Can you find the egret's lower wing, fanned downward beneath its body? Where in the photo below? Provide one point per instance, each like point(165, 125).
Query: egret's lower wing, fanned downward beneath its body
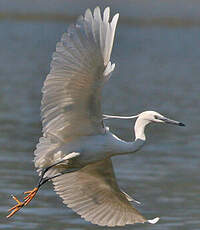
point(93, 193)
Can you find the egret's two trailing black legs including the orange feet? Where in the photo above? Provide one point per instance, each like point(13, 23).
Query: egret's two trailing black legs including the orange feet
point(31, 194)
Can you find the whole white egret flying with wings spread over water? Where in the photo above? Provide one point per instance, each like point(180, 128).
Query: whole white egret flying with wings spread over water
point(76, 148)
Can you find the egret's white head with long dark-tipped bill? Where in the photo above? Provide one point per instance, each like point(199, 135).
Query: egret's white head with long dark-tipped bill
point(152, 116)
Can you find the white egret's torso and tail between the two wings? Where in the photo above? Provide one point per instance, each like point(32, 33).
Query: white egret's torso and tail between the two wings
point(91, 149)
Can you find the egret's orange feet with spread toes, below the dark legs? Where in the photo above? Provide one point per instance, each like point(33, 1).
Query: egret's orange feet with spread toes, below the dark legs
point(20, 204)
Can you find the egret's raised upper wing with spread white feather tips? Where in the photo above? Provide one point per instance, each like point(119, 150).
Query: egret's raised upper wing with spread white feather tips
point(71, 103)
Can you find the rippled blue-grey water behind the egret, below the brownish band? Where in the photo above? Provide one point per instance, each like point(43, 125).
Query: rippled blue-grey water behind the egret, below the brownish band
point(157, 68)
